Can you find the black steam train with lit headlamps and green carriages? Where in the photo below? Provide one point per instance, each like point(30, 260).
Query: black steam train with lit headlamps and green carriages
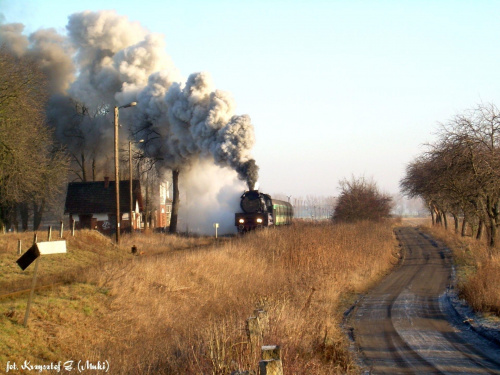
point(260, 210)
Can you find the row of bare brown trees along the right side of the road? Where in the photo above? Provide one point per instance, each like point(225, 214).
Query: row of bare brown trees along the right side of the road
point(459, 174)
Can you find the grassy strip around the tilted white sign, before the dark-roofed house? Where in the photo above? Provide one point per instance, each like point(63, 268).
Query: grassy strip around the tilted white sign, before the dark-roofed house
point(86, 249)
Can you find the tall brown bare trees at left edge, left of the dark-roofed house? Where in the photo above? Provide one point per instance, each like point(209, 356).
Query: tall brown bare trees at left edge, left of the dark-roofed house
point(32, 165)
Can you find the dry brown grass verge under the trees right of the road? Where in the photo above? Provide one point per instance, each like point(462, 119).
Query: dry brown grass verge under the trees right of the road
point(478, 270)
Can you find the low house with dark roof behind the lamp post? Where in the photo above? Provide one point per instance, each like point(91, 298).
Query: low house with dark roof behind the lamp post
point(92, 205)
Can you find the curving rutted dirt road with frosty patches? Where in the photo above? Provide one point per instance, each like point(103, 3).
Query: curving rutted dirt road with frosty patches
point(406, 325)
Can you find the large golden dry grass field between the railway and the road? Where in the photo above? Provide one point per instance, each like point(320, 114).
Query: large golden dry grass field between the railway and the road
point(184, 312)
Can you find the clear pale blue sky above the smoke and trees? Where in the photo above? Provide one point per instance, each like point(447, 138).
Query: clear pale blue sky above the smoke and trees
point(334, 88)
